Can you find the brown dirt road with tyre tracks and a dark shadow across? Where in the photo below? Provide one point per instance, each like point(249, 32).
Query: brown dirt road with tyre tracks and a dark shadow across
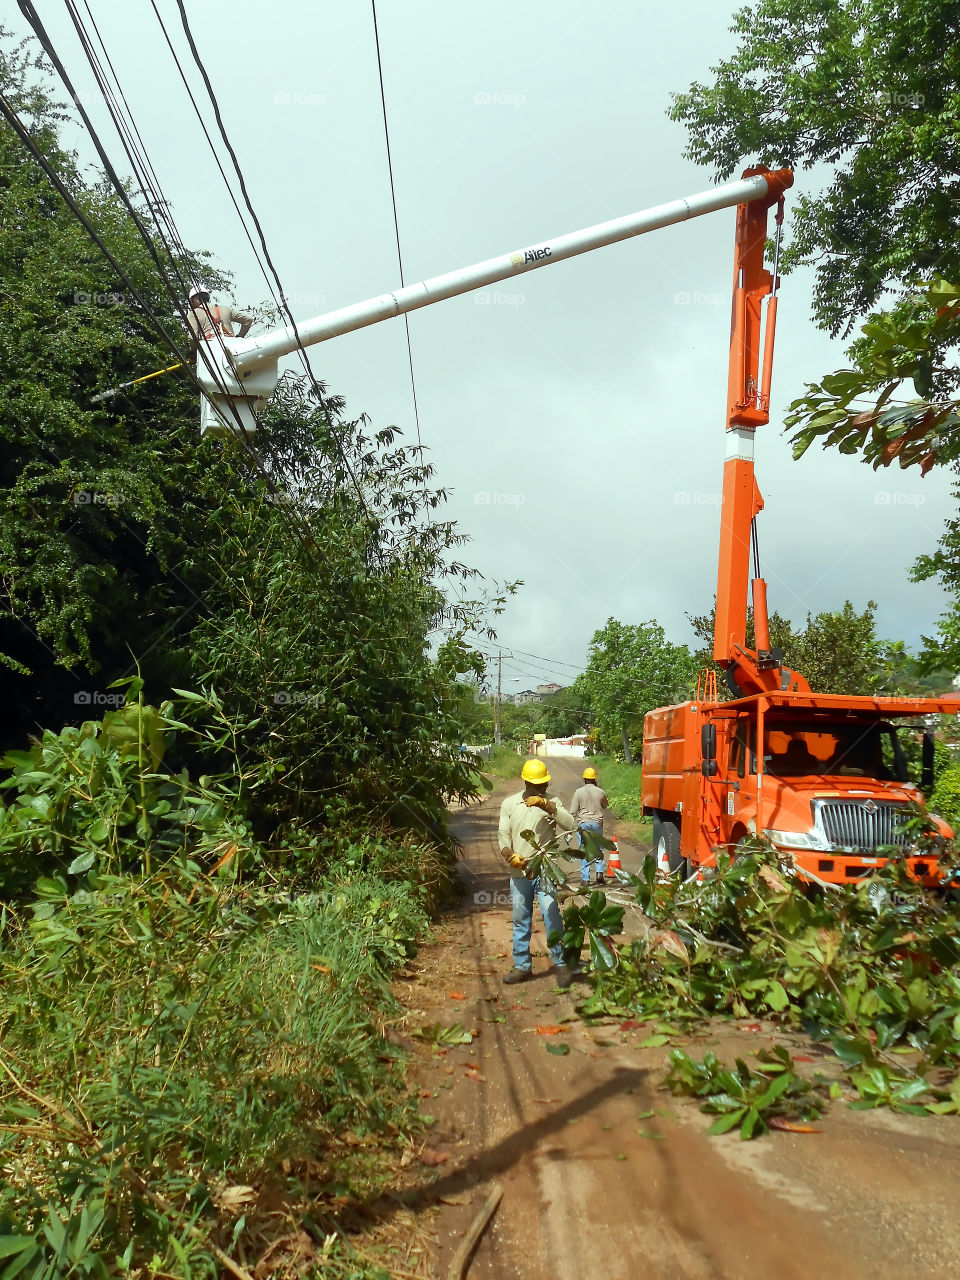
point(607, 1176)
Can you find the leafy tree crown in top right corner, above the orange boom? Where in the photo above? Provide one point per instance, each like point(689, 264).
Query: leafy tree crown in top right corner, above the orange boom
point(870, 92)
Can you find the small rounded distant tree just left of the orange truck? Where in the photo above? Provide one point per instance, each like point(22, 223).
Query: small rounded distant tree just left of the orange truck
point(632, 670)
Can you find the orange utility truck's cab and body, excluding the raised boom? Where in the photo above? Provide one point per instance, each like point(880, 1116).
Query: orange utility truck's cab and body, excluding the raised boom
point(822, 776)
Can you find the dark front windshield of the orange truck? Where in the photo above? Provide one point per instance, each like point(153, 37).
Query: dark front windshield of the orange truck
point(852, 751)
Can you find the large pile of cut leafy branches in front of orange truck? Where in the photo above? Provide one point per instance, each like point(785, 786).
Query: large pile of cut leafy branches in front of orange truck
point(870, 968)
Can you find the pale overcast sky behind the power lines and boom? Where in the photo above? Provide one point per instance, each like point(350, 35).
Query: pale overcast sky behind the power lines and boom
point(577, 413)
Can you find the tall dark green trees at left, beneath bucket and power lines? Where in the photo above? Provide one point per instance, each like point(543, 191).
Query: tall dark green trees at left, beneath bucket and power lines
point(303, 577)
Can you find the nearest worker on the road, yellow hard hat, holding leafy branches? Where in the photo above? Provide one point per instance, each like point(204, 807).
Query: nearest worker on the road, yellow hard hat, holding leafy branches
point(533, 811)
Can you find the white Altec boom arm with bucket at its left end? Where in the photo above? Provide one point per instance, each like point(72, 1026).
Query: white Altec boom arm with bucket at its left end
point(240, 374)
